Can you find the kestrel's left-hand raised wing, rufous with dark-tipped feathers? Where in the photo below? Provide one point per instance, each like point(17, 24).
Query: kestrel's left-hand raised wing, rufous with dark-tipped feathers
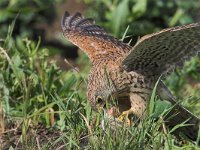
point(88, 36)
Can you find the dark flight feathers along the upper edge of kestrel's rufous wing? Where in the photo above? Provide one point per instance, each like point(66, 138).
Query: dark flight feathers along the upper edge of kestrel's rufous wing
point(76, 26)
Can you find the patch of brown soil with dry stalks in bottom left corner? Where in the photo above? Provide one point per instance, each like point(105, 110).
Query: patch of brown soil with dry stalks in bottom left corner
point(34, 138)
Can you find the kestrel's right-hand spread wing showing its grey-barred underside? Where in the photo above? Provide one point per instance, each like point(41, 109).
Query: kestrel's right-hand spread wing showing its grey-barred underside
point(158, 53)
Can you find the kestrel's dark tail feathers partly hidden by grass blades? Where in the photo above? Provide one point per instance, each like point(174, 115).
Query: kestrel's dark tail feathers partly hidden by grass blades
point(178, 115)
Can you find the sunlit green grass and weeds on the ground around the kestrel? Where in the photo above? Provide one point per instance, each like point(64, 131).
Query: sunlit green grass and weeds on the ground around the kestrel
point(46, 108)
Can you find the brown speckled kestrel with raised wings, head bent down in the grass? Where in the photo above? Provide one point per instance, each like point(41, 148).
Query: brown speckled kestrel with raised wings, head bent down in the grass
point(128, 74)
